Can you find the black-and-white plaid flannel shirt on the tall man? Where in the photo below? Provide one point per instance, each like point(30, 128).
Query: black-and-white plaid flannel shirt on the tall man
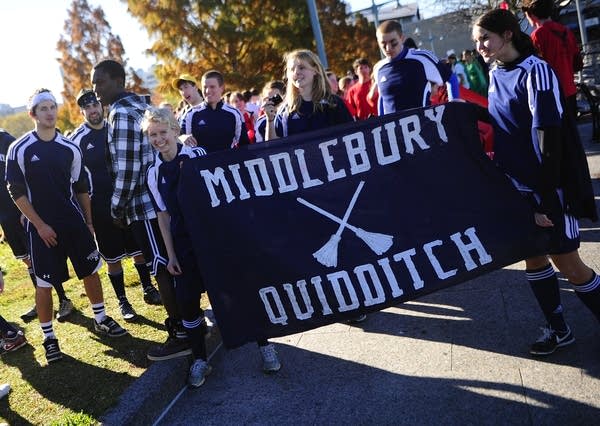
point(130, 155)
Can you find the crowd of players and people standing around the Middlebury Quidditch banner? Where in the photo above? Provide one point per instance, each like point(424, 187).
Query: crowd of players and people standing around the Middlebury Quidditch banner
point(65, 200)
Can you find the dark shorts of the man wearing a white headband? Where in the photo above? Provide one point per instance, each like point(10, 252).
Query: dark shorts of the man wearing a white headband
point(75, 242)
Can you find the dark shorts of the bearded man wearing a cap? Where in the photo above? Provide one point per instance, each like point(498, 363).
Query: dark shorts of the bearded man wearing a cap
point(114, 243)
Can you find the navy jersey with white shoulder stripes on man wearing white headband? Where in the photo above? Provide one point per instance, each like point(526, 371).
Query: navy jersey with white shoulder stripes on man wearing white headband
point(47, 169)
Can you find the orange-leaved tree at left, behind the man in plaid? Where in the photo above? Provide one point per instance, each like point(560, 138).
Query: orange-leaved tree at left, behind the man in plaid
point(87, 39)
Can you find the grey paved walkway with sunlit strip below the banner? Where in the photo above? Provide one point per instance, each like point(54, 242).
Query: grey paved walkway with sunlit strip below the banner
point(458, 356)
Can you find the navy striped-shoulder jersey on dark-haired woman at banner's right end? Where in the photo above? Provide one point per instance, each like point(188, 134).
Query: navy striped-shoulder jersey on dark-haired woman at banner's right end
point(524, 96)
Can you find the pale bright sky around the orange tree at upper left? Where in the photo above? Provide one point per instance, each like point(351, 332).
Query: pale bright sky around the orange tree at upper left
point(30, 30)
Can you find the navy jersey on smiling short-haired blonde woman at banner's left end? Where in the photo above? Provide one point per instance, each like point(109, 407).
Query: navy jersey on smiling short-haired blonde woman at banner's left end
point(163, 178)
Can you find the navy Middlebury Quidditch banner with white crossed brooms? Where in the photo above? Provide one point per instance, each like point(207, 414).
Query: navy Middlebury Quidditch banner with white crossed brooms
point(302, 232)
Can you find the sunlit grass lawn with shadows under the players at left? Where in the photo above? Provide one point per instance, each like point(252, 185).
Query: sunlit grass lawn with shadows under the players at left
point(94, 371)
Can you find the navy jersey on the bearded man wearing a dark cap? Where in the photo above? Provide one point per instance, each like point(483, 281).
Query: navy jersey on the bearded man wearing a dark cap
point(92, 143)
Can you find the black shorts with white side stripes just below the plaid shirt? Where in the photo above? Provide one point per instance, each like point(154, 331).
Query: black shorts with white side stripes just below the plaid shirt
point(148, 238)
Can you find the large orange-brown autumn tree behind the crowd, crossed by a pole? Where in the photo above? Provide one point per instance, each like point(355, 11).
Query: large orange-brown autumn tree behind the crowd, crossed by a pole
point(244, 39)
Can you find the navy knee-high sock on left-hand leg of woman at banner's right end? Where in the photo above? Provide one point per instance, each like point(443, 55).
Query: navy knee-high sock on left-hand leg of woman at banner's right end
point(544, 284)
